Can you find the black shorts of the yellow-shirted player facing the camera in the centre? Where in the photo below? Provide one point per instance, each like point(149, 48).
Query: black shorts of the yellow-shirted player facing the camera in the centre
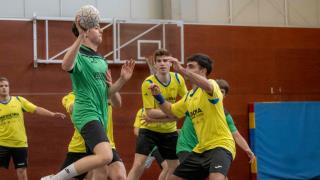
point(166, 143)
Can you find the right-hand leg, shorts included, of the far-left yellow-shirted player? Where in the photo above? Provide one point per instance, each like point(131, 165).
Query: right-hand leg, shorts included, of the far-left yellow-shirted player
point(20, 161)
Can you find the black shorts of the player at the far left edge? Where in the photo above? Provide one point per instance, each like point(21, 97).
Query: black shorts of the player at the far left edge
point(19, 156)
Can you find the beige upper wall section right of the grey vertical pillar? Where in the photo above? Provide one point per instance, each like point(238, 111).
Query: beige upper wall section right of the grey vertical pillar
point(251, 12)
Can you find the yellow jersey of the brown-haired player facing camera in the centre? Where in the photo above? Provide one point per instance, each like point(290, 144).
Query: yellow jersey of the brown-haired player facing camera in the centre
point(176, 87)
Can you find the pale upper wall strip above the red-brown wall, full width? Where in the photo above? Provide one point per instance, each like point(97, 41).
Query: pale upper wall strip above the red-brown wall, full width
point(244, 12)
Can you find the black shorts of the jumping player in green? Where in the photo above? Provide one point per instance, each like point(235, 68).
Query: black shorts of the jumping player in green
point(93, 133)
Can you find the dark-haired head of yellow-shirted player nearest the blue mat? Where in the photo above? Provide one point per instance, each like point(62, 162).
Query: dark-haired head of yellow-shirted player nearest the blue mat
point(200, 64)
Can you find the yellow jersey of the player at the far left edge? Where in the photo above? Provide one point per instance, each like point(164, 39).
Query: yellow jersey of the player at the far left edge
point(12, 129)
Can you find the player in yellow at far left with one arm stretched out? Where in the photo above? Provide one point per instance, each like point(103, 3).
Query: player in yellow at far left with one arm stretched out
point(13, 137)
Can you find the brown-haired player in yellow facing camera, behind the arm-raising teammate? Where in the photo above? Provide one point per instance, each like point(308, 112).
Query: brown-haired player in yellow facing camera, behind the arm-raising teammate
point(163, 134)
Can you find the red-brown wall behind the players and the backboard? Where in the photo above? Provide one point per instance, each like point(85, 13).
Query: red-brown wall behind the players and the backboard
point(253, 60)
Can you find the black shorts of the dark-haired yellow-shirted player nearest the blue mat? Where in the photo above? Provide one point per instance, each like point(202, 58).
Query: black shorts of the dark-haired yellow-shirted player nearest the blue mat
point(198, 166)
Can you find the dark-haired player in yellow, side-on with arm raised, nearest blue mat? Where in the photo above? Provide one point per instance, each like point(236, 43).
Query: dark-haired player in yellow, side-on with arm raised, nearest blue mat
point(216, 148)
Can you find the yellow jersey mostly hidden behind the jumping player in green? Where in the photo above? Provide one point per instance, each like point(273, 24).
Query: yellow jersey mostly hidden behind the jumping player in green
point(77, 144)
